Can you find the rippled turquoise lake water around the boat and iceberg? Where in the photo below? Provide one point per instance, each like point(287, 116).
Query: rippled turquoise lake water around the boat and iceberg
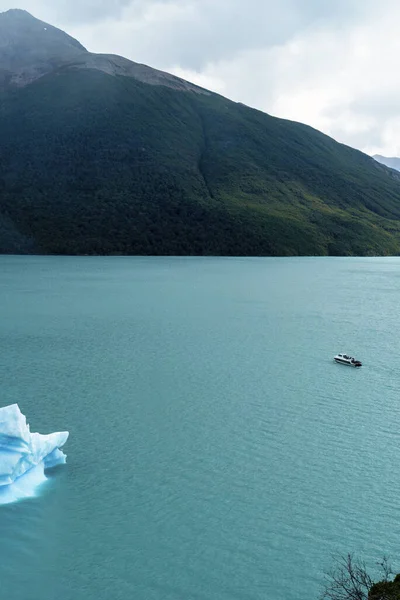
point(216, 451)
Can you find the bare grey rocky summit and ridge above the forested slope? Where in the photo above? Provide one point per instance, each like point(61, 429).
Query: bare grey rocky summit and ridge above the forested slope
point(30, 48)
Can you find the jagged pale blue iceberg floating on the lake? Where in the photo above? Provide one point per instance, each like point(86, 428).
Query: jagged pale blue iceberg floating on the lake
point(24, 455)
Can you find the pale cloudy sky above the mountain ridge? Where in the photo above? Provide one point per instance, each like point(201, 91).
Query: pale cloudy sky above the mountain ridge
point(330, 63)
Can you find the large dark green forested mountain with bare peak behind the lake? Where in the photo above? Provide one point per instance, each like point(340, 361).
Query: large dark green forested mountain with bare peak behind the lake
point(101, 155)
